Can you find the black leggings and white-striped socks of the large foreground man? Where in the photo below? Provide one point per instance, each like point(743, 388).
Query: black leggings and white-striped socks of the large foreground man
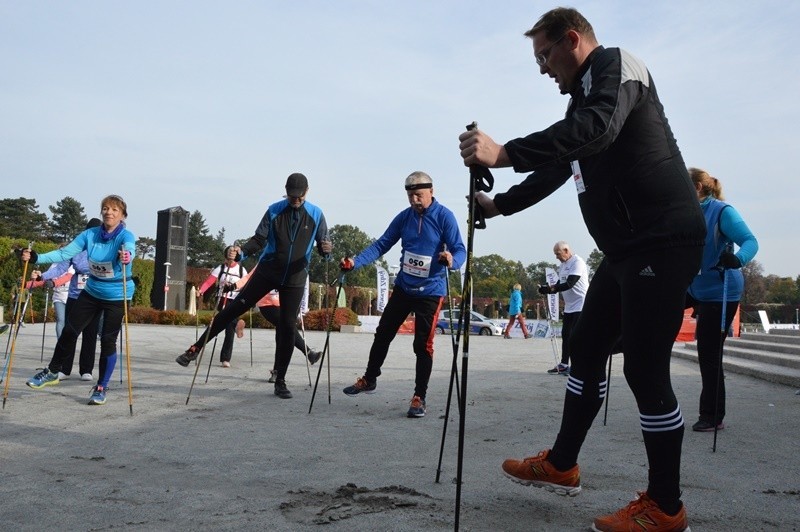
point(642, 299)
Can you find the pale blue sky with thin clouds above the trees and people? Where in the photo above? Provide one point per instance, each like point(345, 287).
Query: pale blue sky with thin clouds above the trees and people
point(210, 105)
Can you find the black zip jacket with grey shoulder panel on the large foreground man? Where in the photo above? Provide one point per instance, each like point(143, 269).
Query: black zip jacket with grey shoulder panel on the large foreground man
point(637, 194)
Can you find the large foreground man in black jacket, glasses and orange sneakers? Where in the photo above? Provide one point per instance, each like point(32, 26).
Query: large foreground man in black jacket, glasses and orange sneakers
point(639, 205)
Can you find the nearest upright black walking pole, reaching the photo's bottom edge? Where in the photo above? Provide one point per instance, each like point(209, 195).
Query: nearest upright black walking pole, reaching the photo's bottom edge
point(480, 180)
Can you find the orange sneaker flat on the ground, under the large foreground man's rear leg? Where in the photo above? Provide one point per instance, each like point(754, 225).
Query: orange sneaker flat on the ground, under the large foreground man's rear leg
point(642, 515)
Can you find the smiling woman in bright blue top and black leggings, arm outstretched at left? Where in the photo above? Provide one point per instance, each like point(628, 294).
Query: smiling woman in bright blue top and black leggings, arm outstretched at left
point(109, 248)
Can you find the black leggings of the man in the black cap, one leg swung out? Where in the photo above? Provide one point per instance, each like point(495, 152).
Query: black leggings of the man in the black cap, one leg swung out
point(257, 287)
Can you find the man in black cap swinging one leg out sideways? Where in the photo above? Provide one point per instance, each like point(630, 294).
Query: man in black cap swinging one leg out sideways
point(287, 233)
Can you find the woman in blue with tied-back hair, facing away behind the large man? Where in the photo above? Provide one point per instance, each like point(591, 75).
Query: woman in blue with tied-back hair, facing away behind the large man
point(725, 227)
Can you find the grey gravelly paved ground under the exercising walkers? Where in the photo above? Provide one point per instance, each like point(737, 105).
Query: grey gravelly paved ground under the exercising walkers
point(239, 458)
